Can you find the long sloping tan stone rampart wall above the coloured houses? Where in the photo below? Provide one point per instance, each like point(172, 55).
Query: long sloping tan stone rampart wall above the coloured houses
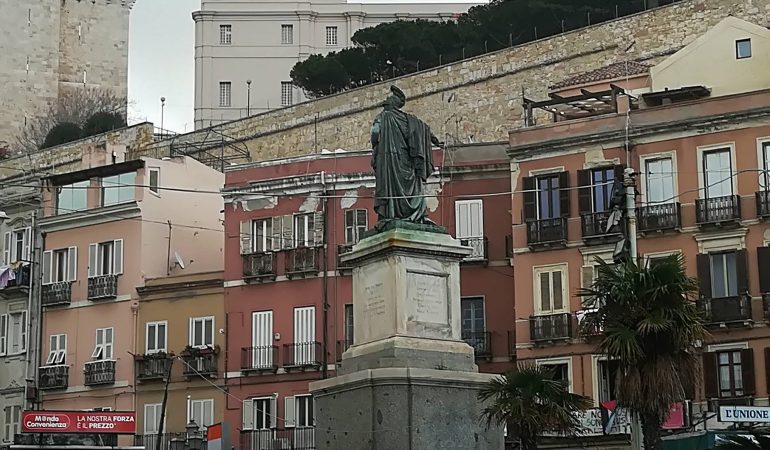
point(486, 91)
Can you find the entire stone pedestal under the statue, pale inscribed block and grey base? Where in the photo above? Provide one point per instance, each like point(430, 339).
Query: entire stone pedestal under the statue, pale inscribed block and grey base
point(408, 381)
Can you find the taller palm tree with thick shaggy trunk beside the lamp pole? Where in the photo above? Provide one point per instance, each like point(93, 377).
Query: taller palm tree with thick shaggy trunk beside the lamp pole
point(652, 327)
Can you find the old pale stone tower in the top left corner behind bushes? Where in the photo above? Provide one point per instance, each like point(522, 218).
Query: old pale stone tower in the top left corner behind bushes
point(48, 47)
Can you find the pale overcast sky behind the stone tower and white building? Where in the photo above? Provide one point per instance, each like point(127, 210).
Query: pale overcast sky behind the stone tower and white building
point(161, 60)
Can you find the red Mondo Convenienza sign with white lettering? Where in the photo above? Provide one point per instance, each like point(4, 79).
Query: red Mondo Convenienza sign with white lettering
point(78, 422)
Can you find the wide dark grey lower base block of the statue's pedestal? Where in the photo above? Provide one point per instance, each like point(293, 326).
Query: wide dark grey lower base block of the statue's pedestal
point(402, 408)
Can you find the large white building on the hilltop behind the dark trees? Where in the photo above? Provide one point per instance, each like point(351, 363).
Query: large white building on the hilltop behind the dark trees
point(261, 40)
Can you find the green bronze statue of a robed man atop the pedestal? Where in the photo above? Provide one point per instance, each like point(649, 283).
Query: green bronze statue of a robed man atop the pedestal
point(402, 160)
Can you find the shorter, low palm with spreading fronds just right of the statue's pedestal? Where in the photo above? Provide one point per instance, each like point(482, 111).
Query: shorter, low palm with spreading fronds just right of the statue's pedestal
point(530, 402)
